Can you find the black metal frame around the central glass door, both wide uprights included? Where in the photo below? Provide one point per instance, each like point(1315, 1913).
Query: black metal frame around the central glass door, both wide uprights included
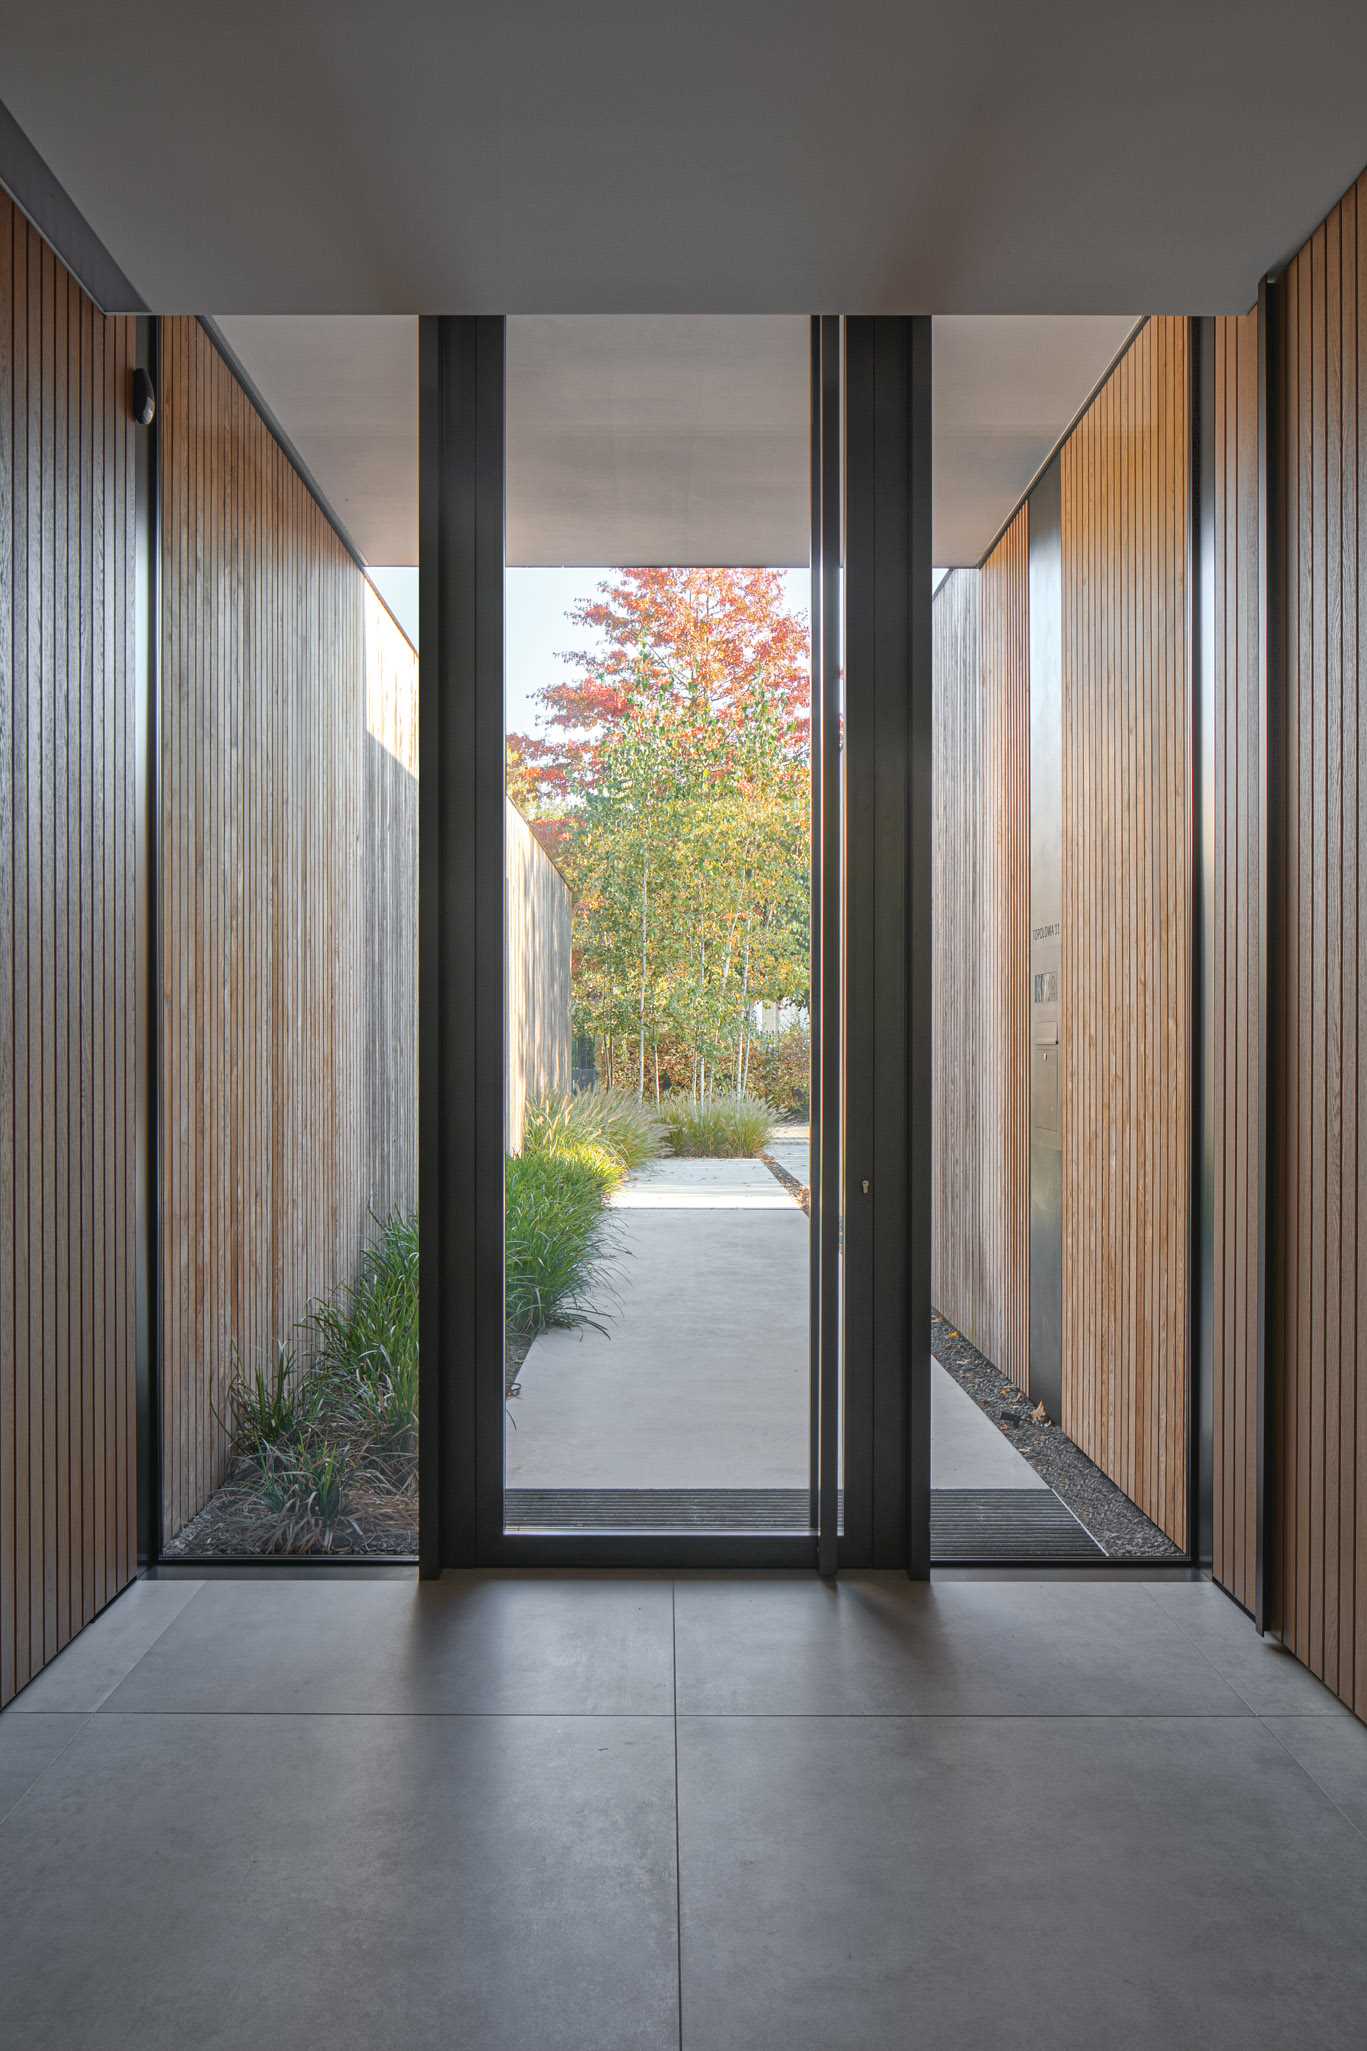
point(886, 1029)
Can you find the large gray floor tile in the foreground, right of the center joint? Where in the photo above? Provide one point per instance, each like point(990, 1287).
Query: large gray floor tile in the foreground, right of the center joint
point(985, 1886)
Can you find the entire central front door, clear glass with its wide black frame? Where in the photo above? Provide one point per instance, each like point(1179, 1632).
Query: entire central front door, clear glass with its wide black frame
point(675, 942)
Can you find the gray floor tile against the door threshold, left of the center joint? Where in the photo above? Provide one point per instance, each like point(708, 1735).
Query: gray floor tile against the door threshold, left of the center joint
point(474, 1644)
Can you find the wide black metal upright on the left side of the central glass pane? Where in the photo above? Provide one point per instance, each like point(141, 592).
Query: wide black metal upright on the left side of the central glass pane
point(462, 936)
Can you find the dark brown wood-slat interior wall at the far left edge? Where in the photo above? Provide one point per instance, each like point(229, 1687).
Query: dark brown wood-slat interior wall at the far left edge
point(69, 1006)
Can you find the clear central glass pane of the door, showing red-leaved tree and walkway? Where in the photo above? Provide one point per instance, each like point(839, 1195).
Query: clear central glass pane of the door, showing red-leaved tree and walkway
point(659, 967)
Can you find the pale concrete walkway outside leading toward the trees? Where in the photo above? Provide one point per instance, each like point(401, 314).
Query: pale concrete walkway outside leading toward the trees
point(702, 1379)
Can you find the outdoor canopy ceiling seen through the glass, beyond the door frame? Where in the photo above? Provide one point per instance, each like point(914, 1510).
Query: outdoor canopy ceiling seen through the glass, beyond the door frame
point(663, 440)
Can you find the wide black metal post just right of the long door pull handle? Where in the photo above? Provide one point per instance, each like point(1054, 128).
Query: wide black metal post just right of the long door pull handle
point(888, 918)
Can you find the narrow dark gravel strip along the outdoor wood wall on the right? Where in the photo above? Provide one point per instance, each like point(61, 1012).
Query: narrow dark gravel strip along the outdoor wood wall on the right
point(1118, 1527)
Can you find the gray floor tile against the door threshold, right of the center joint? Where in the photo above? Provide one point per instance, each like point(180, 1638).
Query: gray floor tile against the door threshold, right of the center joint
point(786, 1646)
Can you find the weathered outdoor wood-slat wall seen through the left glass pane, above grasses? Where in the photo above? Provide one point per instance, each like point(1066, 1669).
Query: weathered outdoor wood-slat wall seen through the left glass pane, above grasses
point(288, 906)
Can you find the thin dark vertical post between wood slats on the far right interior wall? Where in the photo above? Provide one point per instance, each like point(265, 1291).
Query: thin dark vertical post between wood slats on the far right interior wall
point(1272, 967)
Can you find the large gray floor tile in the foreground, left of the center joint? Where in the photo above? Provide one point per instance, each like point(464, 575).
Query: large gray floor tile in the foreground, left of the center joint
point(368, 1884)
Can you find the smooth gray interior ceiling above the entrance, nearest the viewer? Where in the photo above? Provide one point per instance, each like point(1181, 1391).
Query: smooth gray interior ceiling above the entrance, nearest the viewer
point(757, 157)
